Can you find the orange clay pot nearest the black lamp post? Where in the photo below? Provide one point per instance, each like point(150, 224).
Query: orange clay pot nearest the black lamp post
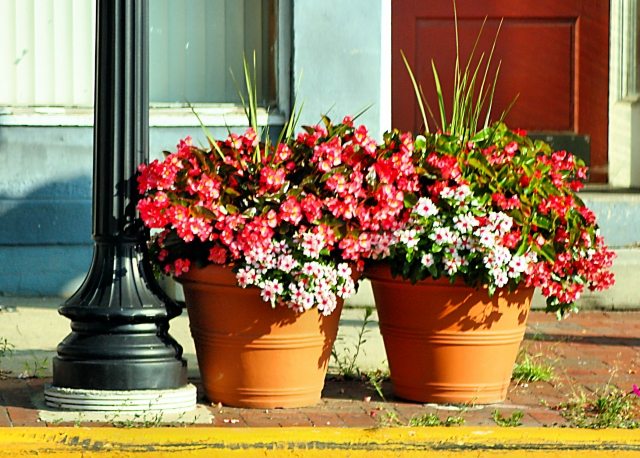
point(250, 354)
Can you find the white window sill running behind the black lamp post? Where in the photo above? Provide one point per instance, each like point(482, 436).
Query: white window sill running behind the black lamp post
point(212, 116)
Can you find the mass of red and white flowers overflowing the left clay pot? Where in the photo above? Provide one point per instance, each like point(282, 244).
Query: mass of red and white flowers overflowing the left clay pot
point(276, 214)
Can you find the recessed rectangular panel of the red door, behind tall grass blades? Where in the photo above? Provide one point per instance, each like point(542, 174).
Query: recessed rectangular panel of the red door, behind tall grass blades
point(544, 72)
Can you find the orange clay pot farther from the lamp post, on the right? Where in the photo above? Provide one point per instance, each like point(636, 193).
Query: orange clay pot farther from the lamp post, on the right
point(449, 343)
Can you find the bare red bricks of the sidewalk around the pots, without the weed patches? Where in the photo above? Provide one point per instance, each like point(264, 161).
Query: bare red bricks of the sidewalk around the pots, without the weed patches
point(588, 352)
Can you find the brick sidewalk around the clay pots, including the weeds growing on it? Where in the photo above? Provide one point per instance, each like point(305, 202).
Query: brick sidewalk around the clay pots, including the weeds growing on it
point(594, 358)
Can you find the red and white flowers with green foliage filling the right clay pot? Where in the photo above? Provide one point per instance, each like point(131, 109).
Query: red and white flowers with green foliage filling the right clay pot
point(499, 210)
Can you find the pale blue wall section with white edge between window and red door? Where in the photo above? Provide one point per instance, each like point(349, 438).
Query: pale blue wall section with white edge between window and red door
point(341, 61)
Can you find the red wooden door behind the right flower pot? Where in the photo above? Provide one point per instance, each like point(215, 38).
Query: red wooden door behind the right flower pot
point(554, 55)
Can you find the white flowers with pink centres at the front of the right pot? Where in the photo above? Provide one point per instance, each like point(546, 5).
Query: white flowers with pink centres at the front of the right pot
point(457, 237)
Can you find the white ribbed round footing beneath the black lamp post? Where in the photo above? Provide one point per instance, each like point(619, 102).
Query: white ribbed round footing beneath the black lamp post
point(167, 401)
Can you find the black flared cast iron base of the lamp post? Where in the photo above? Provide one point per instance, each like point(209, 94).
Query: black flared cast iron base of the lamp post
point(119, 338)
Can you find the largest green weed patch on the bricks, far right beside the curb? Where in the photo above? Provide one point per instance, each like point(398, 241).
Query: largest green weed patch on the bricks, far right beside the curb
point(609, 408)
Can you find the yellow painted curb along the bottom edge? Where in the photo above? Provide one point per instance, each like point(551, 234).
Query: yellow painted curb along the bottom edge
point(318, 442)
